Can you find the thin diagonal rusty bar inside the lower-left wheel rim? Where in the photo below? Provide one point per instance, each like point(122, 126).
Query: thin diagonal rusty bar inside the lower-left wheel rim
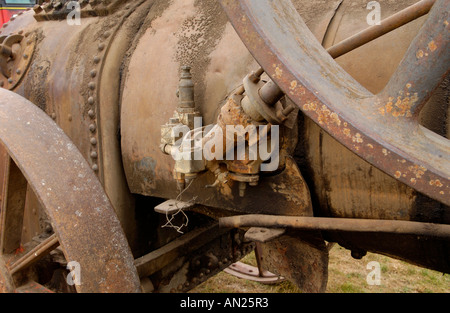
point(35, 254)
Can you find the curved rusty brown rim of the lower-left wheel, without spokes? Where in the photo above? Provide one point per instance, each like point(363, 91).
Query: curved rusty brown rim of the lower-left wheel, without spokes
point(82, 216)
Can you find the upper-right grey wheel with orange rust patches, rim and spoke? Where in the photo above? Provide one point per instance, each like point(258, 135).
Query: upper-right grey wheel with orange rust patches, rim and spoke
point(382, 129)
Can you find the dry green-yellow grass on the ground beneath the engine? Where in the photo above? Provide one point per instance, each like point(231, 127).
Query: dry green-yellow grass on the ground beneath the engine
point(346, 275)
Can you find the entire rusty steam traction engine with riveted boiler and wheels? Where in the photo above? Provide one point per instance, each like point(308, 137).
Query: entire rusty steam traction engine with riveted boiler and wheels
point(94, 111)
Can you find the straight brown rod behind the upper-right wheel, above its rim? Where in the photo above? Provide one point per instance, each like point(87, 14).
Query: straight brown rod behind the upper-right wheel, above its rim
point(391, 23)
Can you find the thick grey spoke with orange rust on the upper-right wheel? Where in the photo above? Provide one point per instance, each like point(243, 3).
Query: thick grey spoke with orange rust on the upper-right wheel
point(422, 69)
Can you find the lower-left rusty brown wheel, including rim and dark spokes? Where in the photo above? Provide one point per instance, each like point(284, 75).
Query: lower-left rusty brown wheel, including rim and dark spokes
point(82, 234)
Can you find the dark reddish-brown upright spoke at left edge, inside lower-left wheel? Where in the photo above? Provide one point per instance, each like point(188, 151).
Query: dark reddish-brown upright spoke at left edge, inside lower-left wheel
point(13, 192)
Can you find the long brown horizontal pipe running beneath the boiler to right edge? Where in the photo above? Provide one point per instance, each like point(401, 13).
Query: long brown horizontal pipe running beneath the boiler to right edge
point(338, 224)
